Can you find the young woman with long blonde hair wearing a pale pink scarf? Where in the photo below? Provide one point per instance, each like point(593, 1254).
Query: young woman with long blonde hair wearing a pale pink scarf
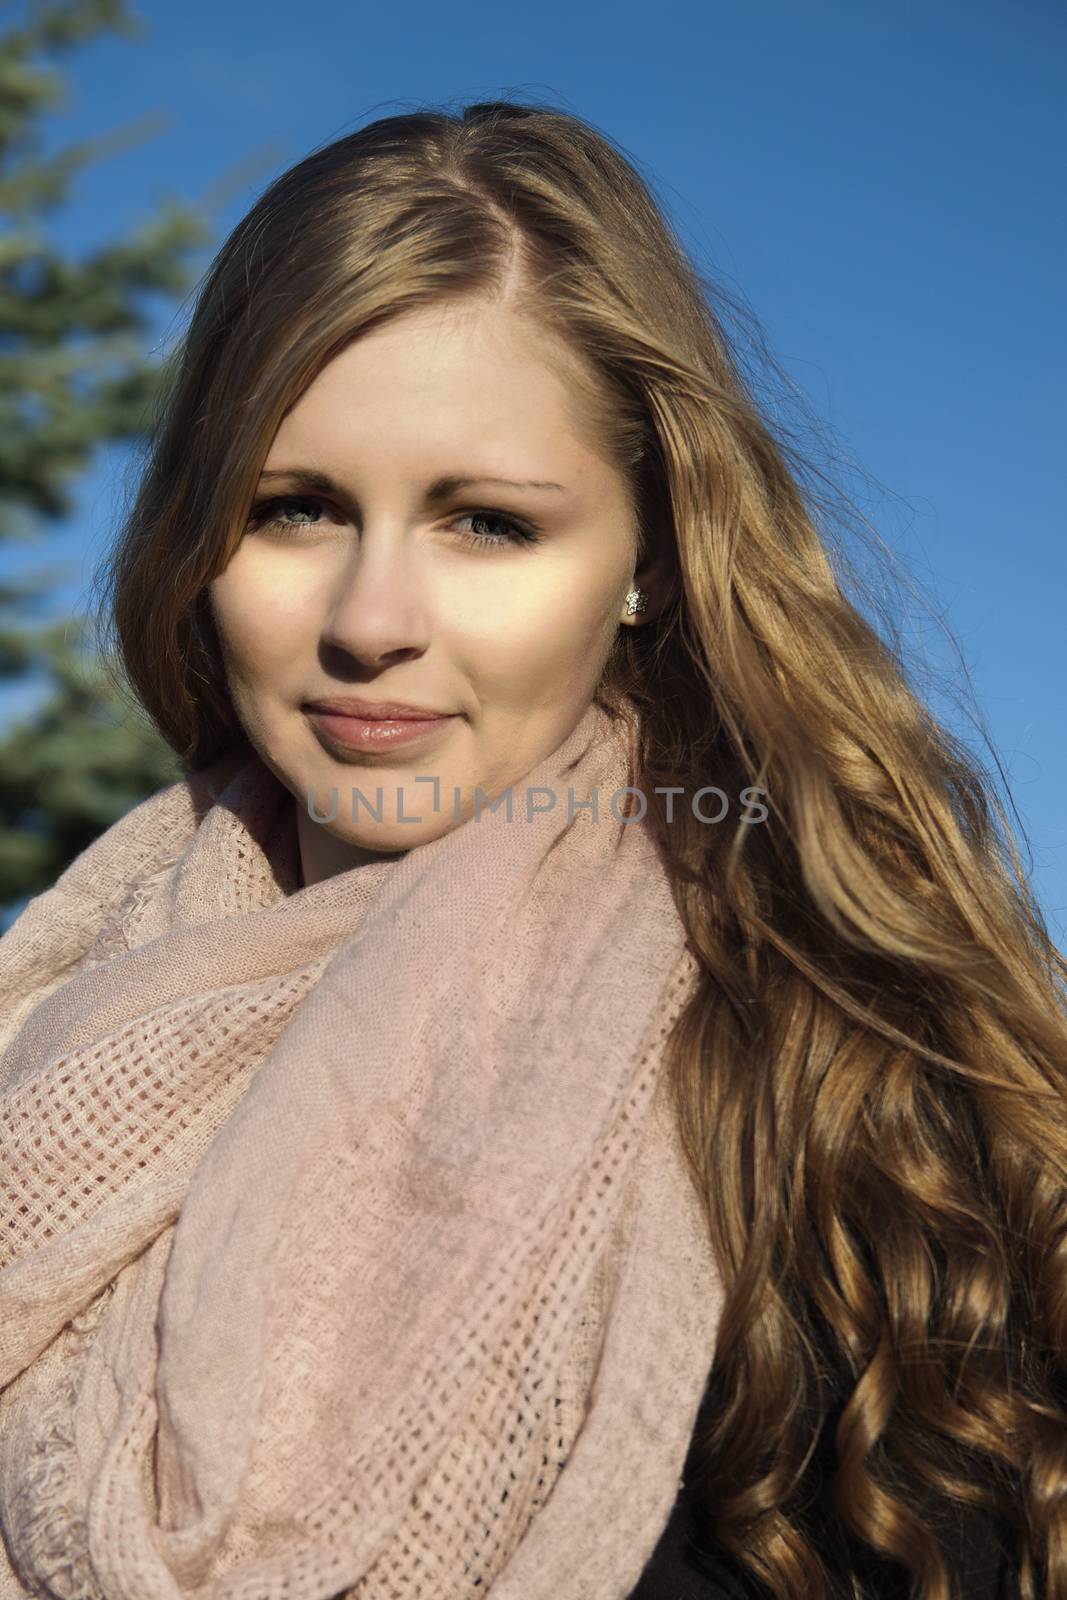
point(567, 1098)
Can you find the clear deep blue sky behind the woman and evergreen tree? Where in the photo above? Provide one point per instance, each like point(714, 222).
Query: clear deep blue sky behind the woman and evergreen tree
point(881, 185)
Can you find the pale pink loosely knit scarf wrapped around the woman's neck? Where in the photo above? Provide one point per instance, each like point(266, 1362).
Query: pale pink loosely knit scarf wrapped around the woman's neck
point(346, 1239)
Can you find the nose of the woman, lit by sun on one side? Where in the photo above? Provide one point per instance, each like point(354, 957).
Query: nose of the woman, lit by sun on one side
point(378, 609)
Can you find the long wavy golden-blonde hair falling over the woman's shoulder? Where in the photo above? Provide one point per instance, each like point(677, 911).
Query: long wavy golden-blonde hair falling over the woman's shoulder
point(871, 1082)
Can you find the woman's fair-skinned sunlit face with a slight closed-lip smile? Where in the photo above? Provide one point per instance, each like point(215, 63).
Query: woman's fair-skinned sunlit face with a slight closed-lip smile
point(374, 588)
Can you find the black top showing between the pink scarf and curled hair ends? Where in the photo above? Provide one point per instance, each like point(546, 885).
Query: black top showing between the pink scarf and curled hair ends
point(687, 1566)
